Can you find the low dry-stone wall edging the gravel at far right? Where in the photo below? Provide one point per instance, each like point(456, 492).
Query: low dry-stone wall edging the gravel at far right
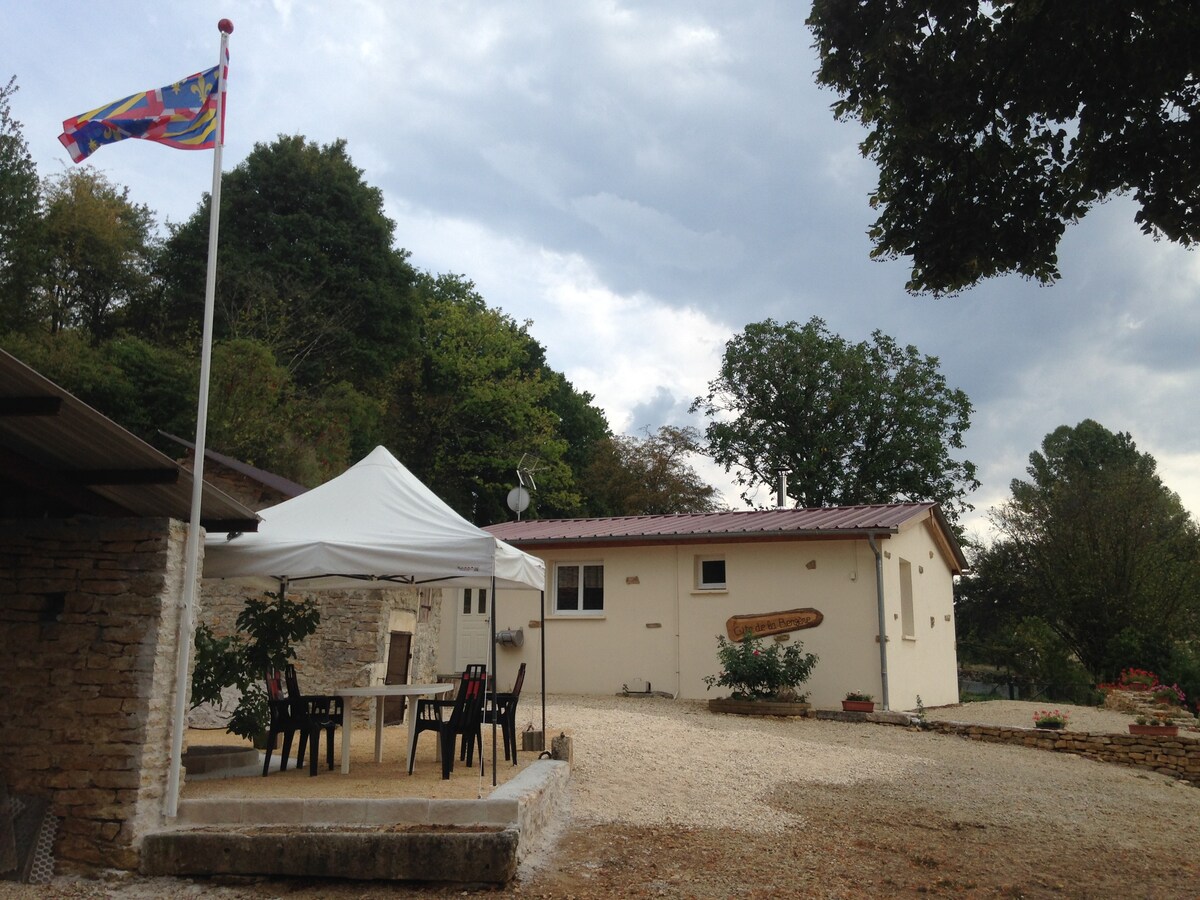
point(1179, 757)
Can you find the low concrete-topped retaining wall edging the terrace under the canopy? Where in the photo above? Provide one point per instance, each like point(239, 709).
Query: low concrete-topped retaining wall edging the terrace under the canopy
point(439, 841)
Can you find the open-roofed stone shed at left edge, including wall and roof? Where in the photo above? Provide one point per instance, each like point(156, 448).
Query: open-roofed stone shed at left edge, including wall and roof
point(93, 533)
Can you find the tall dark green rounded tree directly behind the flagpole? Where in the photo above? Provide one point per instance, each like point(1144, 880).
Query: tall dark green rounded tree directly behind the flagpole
point(307, 267)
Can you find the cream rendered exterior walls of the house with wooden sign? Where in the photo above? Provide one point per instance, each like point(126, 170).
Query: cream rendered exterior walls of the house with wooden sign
point(659, 628)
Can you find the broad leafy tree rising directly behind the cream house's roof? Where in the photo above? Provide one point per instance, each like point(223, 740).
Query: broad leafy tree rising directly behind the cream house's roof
point(851, 423)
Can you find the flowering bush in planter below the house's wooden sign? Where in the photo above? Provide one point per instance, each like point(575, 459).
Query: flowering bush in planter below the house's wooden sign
point(763, 680)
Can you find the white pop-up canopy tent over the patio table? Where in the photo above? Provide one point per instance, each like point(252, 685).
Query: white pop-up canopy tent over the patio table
point(375, 526)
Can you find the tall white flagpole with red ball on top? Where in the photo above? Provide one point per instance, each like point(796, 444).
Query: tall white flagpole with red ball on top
point(191, 565)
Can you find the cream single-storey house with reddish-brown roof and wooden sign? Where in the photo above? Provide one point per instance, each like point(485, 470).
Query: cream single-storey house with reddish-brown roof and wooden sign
point(637, 603)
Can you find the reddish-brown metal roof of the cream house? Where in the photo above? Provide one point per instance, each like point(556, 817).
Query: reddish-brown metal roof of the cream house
point(730, 526)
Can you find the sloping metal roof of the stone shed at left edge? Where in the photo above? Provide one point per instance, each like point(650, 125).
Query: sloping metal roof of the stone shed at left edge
point(62, 458)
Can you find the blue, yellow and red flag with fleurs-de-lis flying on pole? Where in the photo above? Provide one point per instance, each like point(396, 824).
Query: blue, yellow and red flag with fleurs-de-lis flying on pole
point(182, 116)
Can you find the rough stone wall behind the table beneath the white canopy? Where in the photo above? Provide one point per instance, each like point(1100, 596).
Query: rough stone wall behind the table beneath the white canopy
point(350, 647)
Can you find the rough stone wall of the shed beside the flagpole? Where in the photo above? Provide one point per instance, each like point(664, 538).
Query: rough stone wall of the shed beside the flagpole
point(89, 614)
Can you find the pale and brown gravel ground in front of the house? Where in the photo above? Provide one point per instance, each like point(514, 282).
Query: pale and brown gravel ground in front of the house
point(669, 800)
